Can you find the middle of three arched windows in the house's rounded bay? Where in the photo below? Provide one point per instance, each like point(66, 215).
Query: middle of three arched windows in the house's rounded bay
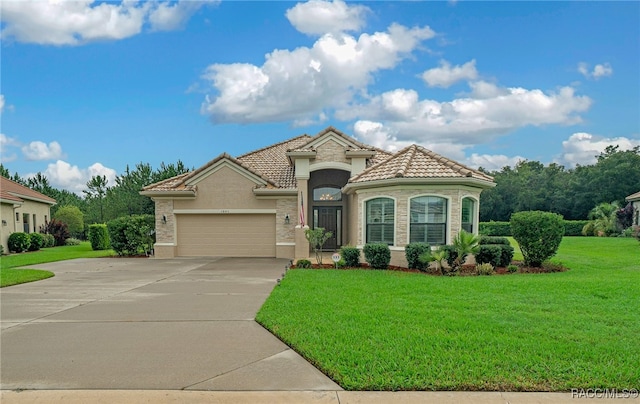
point(428, 220)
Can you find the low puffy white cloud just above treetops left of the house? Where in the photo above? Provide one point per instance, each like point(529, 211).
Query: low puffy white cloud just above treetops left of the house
point(73, 178)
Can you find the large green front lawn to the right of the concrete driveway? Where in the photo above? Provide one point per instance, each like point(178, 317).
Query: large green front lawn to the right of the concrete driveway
point(385, 330)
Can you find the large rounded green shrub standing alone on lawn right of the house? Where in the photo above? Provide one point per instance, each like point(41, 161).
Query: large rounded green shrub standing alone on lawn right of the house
point(539, 235)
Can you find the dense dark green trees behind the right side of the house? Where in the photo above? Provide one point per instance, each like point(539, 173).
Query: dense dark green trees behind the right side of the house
point(572, 193)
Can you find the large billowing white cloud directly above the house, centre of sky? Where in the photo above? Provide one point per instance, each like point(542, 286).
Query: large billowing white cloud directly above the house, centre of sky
point(301, 84)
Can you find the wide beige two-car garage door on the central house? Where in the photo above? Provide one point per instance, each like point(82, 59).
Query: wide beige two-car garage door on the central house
point(228, 235)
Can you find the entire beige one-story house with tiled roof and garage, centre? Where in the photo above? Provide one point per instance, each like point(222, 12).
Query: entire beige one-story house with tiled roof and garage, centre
point(258, 204)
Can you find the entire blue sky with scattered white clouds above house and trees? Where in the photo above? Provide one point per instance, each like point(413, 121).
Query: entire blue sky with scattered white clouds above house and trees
point(90, 87)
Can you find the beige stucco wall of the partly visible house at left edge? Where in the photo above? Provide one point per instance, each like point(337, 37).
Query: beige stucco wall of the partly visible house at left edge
point(8, 214)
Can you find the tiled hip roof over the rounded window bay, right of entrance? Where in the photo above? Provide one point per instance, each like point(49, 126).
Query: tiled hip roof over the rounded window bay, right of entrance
point(417, 162)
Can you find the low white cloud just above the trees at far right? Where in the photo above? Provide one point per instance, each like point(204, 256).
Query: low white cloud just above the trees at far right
point(583, 148)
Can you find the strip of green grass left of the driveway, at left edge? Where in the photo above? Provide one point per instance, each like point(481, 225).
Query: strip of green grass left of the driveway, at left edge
point(10, 274)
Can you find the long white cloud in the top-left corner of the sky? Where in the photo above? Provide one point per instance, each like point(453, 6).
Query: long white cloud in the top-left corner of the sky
point(56, 22)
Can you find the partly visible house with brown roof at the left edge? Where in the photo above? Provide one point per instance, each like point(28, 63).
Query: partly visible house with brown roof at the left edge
point(21, 209)
